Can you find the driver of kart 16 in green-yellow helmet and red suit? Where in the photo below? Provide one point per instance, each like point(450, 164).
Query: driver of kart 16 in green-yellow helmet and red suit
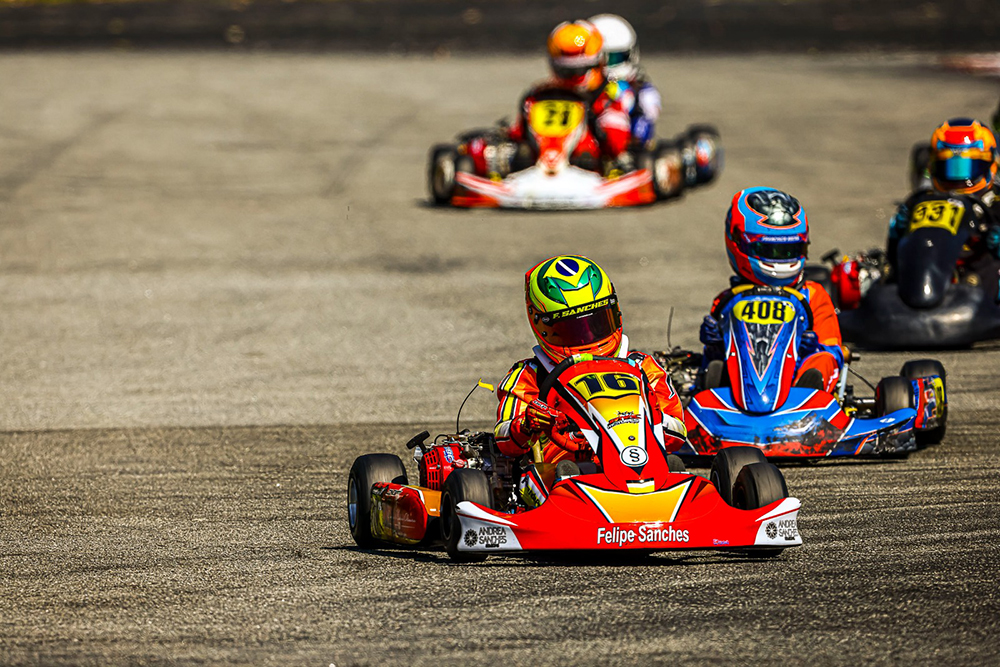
point(572, 309)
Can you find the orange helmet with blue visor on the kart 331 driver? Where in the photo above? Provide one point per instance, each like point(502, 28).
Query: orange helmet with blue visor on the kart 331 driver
point(964, 156)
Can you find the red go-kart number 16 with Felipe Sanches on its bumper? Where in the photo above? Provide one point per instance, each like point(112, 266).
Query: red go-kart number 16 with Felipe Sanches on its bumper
point(625, 492)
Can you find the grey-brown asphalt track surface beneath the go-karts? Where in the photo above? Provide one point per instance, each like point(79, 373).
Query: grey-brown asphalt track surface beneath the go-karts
point(221, 283)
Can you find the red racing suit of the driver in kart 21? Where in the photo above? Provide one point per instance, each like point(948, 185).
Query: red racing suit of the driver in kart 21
point(609, 123)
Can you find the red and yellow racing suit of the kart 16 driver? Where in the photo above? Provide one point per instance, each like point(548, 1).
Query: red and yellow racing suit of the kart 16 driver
point(520, 386)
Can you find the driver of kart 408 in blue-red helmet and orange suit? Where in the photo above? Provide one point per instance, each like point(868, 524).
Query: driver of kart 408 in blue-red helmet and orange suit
point(767, 238)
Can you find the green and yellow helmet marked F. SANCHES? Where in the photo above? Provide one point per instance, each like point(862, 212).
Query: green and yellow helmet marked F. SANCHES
point(572, 307)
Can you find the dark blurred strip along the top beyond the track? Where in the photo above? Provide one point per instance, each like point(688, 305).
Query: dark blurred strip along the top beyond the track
point(442, 26)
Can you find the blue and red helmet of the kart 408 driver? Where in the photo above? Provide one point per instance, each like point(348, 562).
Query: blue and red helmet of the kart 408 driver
point(767, 237)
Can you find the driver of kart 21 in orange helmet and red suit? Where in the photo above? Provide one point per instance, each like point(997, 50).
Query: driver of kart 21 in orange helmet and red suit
point(577, 62)
